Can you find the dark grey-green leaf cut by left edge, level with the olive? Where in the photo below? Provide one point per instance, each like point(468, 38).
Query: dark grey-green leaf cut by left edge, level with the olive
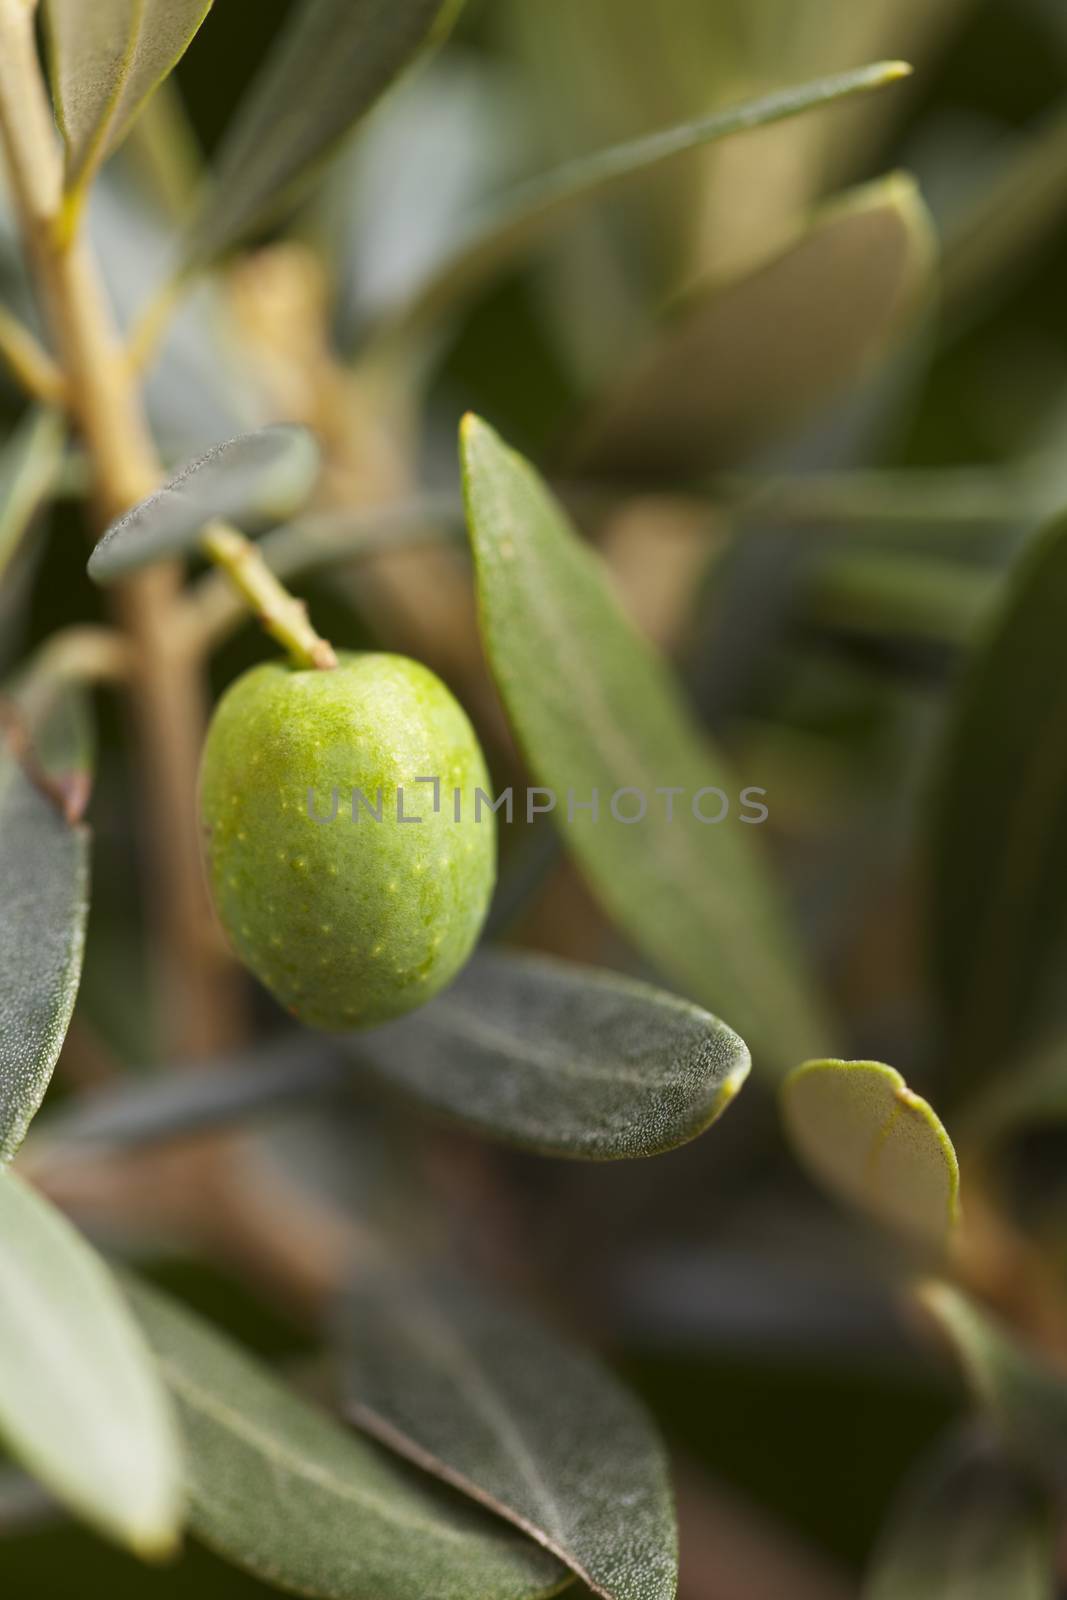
point(44, 871)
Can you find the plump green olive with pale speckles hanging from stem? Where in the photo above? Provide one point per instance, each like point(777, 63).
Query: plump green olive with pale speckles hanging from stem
point(346, 922)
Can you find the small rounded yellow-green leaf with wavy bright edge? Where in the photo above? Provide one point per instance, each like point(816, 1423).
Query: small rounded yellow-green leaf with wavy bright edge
point(873, 1142)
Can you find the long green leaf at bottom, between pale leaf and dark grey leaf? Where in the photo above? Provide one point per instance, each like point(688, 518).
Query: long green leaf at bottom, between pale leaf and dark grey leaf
point(289, 1495)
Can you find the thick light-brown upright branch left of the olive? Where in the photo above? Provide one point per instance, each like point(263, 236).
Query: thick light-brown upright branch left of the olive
point(124, 468)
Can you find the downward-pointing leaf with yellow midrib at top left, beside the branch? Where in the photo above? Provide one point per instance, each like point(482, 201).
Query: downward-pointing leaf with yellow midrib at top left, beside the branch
point(106, 60)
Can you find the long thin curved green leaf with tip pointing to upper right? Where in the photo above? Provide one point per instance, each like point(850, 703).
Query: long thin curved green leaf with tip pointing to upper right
point(532, 212)
